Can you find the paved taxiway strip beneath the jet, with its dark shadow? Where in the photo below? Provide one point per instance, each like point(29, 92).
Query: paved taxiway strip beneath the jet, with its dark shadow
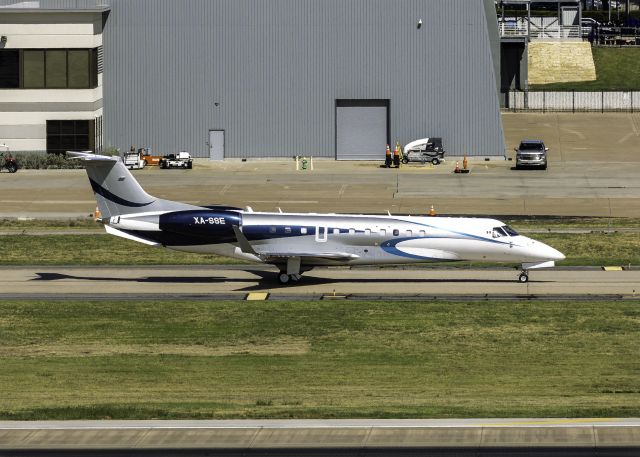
point(237, 282)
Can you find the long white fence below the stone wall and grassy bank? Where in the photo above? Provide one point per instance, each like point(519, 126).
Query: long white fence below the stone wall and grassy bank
point(572, 101)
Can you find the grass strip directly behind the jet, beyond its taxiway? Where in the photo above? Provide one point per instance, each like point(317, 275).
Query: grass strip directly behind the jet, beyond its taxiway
point(621, 248)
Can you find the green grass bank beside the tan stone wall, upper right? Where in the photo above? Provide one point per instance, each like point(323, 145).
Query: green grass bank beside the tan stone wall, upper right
point(616, 69)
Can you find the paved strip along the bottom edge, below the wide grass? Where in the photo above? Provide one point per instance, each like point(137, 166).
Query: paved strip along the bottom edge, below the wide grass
point(474, 437)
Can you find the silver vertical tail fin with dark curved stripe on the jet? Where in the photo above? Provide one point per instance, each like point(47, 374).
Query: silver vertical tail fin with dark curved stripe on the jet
point(116, 190)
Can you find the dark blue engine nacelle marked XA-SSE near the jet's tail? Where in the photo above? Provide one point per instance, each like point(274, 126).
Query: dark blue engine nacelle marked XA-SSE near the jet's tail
point(215, 225)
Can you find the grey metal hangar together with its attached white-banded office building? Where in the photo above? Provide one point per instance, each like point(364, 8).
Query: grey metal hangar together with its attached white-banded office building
point(251, 78)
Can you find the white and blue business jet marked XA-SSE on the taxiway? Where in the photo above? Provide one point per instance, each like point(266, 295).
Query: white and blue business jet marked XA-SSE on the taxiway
point(296, 243)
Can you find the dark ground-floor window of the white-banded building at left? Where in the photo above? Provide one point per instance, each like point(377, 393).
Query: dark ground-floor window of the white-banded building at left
point(65, 136)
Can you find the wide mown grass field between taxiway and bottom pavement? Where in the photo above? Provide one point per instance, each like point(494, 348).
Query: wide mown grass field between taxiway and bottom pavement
point(146, 360)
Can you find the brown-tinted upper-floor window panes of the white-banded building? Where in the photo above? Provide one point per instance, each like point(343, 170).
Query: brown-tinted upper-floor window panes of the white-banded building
point(59, 68)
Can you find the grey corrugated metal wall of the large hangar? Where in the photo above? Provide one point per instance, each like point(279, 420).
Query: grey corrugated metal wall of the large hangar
point(276, 68)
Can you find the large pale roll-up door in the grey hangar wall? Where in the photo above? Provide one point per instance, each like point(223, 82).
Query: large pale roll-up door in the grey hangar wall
point(362, 129)
